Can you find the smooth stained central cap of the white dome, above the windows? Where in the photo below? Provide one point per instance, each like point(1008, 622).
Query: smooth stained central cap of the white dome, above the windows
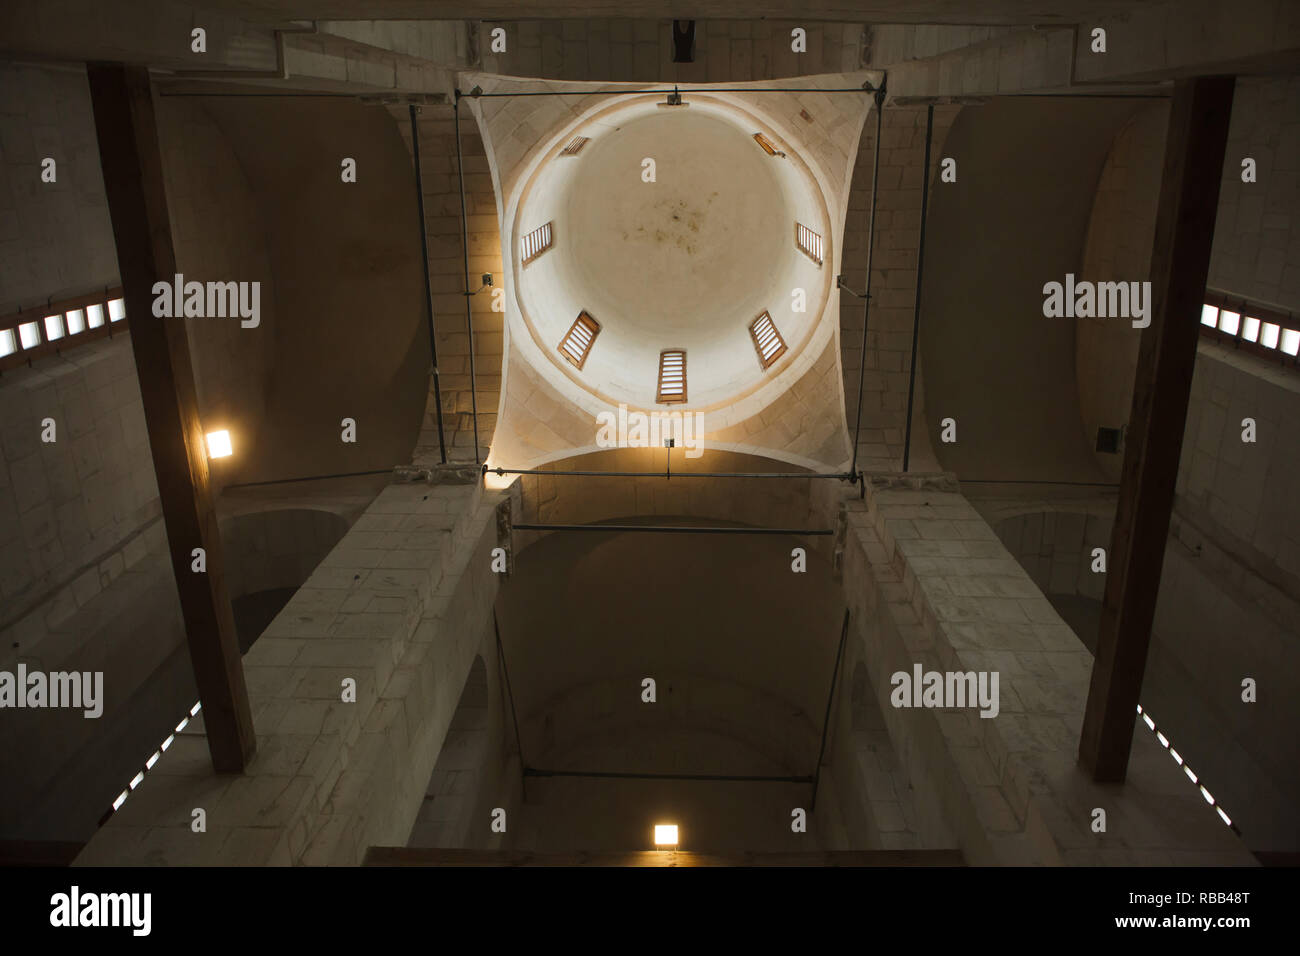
point(703, 243)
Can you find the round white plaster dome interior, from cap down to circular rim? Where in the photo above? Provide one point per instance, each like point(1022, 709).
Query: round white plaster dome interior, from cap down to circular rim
point(684, 262)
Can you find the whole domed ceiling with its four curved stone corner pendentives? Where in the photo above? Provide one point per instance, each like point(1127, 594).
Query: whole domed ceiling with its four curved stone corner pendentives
point(673, 228)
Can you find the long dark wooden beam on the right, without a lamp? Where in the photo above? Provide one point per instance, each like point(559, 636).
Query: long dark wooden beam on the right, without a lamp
point(1181, 257)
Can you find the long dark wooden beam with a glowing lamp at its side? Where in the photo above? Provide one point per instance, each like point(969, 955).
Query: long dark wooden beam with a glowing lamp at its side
point(133, 179)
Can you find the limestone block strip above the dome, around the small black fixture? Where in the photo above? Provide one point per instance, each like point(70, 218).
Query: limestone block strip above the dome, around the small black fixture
point(642, 50)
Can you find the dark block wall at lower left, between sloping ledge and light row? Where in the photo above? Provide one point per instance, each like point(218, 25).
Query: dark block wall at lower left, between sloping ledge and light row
point(131, 631)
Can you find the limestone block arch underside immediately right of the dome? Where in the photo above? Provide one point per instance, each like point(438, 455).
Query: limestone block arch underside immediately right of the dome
point(894, 284)
